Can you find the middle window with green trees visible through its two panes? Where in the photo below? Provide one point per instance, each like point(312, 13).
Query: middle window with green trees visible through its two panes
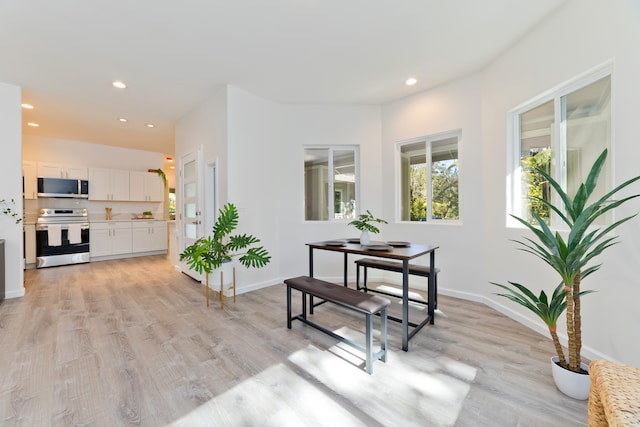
point(429, 172)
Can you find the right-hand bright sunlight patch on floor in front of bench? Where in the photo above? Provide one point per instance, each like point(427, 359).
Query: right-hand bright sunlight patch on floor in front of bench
point(437, 394)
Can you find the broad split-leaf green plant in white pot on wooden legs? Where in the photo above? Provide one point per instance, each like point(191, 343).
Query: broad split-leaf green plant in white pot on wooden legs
point(217, 250)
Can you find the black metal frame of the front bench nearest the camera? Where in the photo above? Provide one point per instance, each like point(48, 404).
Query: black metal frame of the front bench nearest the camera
point(371, 356)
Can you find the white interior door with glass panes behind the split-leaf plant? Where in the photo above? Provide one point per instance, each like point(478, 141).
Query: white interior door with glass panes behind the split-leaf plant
point(190, 209)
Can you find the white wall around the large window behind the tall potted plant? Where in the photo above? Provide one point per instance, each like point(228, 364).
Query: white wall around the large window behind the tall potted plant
point(582, 35)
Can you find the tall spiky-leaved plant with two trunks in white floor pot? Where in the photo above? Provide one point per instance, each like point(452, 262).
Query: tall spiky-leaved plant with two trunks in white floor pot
point(573, 260)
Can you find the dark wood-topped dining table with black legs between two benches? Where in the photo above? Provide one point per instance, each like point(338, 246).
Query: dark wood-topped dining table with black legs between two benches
point(404, 254)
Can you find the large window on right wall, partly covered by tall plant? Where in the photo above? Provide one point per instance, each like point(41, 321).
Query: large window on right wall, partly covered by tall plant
point(562, 133)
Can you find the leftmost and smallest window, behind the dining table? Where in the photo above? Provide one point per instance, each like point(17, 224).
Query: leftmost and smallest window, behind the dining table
point(330, 183)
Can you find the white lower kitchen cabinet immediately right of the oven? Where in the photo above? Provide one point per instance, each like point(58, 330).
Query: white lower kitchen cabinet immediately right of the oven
point(110, 238)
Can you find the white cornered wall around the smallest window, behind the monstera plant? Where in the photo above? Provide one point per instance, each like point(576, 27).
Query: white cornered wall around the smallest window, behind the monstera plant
point(263, 170)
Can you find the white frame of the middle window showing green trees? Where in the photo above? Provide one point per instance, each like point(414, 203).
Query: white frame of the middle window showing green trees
point(427, 140)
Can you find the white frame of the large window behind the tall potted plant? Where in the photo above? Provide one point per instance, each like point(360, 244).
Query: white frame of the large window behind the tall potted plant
point(559, 142)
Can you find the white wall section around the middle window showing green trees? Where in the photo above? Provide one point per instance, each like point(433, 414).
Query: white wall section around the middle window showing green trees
point(448, 108)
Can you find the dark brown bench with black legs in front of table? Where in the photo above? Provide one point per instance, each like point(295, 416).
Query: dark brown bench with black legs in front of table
point(369, 305)
